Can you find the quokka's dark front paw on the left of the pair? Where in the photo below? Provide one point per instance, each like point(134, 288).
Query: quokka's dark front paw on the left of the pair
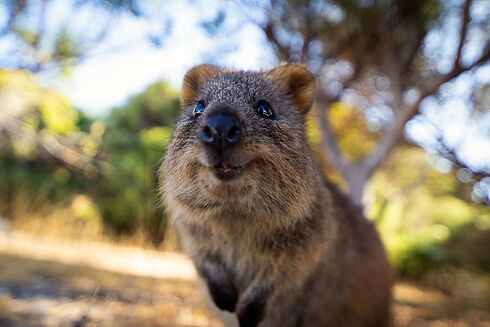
point(219, 282)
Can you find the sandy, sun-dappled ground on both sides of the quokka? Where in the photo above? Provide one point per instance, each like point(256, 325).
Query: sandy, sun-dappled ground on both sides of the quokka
point(46, 282)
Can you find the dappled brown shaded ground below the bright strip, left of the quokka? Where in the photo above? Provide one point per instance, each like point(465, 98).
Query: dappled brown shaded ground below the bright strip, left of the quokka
point(47, 293)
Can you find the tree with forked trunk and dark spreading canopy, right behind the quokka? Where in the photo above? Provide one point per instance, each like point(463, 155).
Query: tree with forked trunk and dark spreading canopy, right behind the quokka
point(379, 56)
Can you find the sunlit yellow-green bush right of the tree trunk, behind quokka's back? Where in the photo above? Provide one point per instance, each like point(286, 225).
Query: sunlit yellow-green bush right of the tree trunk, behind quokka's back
point(418, 212)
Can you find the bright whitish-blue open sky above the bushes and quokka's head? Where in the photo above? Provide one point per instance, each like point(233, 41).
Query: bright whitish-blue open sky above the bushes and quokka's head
point(105, 81)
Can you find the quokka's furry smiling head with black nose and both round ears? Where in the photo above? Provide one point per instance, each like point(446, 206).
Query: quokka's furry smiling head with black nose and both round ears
point(240, 136)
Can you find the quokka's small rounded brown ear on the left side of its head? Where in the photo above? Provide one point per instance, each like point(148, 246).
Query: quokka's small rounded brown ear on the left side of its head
point(194, 79)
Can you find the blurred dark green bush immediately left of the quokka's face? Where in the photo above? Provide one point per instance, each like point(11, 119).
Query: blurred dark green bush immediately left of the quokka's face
point(133, 145)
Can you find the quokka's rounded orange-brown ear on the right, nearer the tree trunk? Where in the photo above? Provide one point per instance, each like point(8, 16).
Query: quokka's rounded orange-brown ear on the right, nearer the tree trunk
point(298, 82)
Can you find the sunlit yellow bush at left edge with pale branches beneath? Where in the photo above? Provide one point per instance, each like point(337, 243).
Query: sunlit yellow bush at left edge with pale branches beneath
point(36, 123)
